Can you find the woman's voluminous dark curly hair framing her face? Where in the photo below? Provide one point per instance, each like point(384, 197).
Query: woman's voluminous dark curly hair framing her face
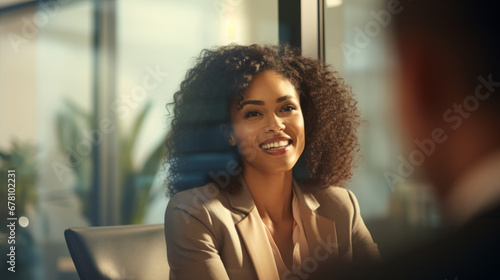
point(198, 153)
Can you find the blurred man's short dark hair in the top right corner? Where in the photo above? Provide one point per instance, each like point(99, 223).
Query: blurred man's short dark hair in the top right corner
point(469, 30)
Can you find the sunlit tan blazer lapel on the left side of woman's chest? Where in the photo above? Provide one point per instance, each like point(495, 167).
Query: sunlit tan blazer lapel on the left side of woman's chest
point(253, 233)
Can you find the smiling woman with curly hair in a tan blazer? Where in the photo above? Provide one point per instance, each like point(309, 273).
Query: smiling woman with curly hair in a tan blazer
point(279, 116)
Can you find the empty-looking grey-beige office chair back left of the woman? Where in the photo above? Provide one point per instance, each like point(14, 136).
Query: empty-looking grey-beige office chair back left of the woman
point(132, 252)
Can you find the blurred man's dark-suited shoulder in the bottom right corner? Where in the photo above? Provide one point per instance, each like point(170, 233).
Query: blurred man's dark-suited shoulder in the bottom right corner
point(468, 252)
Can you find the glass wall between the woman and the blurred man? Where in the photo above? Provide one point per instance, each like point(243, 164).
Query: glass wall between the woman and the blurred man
point(395, 207)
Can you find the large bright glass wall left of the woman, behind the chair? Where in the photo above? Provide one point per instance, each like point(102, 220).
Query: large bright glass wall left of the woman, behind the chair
point(83, 89)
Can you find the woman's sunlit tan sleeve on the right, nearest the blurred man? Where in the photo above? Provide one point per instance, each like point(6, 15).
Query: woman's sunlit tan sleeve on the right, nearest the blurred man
point(364, 250)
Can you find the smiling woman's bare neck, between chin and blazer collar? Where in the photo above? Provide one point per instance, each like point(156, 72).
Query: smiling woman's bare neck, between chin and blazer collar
point(272, 193)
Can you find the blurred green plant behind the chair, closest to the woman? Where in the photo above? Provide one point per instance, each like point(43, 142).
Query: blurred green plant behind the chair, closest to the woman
point(136, 182)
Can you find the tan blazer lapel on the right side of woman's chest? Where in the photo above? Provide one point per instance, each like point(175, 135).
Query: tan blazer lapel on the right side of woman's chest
point(321, 233)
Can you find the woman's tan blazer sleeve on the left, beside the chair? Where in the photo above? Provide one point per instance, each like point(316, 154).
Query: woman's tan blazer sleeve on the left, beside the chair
point(191, 245)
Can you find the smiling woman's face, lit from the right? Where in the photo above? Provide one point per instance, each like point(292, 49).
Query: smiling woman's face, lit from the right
point(268, 125)
